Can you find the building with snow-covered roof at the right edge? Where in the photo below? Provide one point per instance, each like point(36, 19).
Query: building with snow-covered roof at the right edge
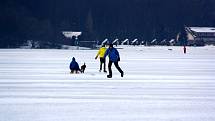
point(201, 35)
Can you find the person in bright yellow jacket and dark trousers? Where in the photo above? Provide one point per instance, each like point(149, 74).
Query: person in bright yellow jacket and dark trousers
point(101, 54)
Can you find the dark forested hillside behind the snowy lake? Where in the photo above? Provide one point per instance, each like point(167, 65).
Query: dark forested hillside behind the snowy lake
point(44, 20)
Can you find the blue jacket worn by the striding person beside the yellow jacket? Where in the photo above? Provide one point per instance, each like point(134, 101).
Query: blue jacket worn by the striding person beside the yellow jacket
point(113, 54)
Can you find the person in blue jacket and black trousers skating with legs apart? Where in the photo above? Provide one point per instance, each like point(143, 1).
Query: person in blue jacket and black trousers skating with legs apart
point(113, 58)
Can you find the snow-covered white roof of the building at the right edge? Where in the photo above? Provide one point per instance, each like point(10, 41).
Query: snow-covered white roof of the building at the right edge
point(203, 29)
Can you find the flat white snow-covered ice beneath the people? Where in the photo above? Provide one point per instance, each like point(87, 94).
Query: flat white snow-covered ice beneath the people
point(160, 84)
